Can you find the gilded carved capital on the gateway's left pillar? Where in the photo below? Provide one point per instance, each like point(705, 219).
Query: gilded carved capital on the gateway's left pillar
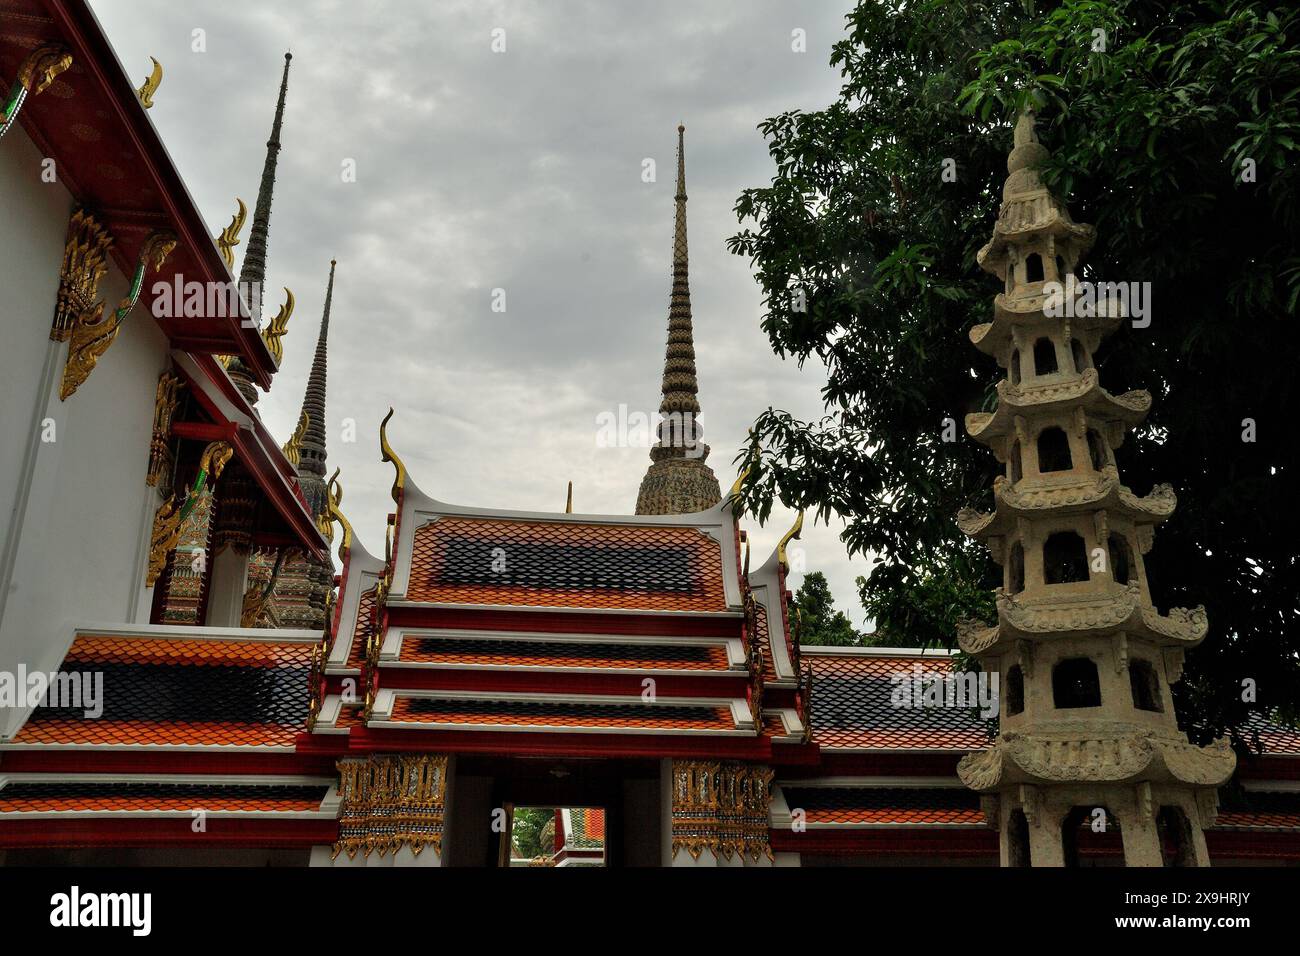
point(391, 803)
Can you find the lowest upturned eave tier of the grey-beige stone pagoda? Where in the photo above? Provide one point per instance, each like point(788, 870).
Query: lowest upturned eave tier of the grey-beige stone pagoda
point(1099, 758)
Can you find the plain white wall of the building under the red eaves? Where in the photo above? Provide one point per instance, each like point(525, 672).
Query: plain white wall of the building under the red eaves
point(54, 574)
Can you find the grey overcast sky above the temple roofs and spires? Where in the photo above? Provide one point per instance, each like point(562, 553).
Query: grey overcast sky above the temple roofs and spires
point(518, 171)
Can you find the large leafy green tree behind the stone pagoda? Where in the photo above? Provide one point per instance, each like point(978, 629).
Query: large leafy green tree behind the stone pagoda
point(1175, 129)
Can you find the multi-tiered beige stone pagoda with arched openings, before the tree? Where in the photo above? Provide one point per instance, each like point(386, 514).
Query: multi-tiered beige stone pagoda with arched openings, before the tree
point(1089, 737)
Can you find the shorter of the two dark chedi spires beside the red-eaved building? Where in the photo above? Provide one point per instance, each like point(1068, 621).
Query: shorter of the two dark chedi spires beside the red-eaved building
point(305, 585)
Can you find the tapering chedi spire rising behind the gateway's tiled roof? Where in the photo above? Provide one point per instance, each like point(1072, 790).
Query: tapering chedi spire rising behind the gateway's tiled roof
point(679, 481)
